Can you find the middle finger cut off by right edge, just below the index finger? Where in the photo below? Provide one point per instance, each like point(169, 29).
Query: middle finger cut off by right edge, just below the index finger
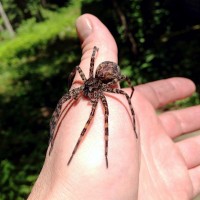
point(182, 121)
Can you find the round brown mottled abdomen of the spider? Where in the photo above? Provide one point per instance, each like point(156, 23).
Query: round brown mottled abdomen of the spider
point(107, 71)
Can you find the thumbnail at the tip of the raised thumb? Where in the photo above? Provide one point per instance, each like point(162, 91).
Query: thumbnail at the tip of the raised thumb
point(84, 27)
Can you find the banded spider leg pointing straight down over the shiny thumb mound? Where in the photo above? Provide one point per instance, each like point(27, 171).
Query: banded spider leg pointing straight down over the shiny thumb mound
point(105, 104)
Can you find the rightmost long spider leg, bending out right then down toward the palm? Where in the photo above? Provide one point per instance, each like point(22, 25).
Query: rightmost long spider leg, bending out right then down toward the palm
point(118, 91)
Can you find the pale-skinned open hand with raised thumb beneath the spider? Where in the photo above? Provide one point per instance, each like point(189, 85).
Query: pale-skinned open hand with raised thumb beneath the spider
point(152, 167)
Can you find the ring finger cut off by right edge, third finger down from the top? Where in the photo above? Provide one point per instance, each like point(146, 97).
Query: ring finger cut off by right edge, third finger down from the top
point(190, 150)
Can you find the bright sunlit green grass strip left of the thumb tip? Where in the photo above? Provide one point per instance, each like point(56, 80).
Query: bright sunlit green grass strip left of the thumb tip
point(32, 34)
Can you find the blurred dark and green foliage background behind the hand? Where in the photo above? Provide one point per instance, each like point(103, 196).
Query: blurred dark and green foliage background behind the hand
point(156, 40)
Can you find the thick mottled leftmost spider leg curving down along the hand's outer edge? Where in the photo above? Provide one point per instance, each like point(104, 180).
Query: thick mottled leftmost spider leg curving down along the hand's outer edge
point(58, 113)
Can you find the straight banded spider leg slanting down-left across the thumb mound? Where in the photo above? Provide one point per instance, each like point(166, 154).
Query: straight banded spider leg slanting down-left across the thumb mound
point(94, 105)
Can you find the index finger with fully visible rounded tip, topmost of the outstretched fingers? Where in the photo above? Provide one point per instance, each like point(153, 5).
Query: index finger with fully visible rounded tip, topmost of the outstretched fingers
point(162, 92)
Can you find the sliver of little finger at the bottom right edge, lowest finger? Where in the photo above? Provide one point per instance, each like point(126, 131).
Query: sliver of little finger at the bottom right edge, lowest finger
point(195, 178)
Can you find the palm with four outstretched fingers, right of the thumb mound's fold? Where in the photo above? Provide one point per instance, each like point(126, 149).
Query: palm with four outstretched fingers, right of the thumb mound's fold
point(169, 170)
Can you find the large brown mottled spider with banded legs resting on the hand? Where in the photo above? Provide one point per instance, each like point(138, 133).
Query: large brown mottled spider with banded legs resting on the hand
point(107, 75)
